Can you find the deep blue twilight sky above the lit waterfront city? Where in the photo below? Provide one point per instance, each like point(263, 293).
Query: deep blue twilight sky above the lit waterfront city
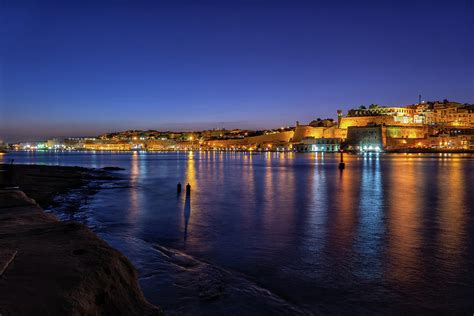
point(86, 67)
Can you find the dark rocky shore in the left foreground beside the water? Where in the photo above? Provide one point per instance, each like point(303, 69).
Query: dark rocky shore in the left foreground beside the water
point(52, 267)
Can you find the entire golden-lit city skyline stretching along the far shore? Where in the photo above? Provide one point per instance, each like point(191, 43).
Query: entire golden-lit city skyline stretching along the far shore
point(424, 126)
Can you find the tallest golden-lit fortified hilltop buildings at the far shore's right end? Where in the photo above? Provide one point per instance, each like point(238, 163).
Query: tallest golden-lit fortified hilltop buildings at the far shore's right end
point(426, 125)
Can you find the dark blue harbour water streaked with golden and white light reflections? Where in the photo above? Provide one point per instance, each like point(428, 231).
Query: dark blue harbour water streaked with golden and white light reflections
point(289, 233)
